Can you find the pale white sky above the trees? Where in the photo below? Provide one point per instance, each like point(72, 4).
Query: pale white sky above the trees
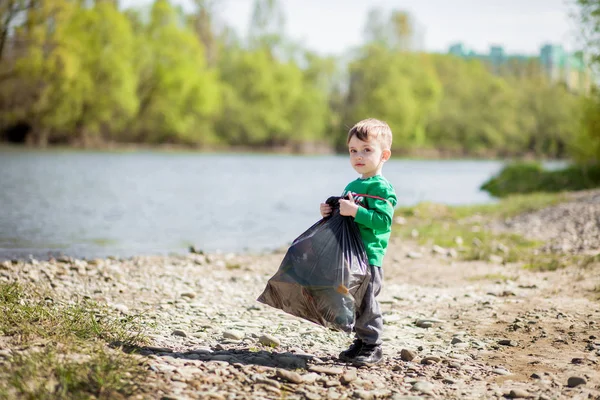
point(333, 26)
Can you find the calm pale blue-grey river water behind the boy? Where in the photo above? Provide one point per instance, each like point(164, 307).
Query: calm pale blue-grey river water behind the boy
point(98, 204)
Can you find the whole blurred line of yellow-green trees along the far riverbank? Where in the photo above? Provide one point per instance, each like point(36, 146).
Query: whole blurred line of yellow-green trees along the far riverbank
point(86, 73)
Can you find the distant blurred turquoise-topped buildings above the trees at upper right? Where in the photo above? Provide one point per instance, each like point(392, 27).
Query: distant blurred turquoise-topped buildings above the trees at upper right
point(572, 69)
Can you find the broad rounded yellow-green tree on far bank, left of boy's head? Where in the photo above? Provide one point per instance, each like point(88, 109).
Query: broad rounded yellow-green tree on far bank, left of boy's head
point(268, 102)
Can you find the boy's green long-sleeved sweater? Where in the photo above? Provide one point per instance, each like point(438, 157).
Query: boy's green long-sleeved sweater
point(374, 218)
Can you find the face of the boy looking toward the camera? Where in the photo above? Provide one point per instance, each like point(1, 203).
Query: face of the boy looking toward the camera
point(367, 157)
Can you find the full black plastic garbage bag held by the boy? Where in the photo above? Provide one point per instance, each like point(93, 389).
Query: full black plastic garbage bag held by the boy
point(324, 274)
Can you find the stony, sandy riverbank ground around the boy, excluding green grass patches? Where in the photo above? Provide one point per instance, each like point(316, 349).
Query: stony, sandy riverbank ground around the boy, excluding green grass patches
point(456, 327)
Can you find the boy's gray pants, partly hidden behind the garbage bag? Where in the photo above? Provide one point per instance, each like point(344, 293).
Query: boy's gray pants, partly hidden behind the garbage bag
point(369, 322)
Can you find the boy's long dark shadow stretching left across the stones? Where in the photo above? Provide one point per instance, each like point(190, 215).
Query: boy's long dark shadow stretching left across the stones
point(286, 360)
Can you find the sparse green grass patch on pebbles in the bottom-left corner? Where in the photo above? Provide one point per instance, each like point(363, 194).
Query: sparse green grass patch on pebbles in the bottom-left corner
point(61, 350)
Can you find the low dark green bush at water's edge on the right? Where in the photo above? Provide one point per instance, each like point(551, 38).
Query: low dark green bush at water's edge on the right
point(531, 177)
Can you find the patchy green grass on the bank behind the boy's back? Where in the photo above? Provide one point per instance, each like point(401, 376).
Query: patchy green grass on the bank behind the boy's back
point(448, 226)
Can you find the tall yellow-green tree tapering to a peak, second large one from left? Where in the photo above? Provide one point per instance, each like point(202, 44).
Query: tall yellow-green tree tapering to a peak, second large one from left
point(178, 94)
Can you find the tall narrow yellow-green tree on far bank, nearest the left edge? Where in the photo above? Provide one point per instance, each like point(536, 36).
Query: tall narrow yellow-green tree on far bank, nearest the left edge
point(107, 80)
